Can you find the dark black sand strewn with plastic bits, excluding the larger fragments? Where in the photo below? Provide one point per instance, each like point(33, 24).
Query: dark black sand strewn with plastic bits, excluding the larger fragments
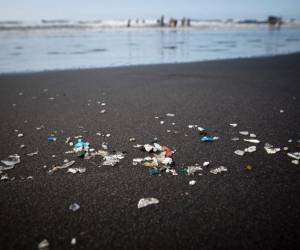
point(238, 209)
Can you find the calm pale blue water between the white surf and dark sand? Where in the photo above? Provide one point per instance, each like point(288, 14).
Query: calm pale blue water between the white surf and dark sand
point(24, 50)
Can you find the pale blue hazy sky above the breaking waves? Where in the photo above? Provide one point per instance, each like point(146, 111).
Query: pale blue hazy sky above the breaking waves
point(149, 9)
